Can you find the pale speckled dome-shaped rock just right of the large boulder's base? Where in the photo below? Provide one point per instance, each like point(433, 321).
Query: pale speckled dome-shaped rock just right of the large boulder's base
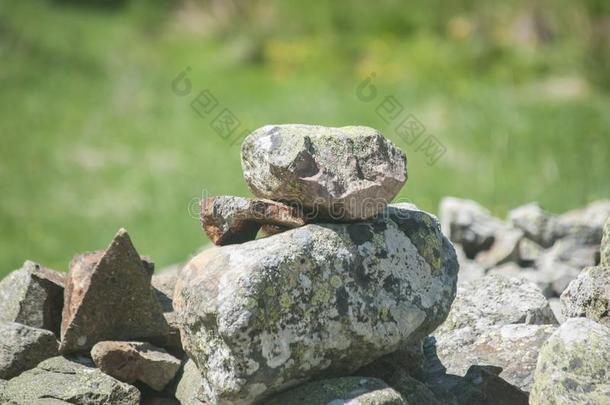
point(497, 300)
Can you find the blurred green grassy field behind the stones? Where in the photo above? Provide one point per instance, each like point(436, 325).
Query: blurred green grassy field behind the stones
point(94, 138)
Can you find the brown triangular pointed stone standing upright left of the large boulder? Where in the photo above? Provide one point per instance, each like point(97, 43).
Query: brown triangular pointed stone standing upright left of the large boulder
point(109, 297)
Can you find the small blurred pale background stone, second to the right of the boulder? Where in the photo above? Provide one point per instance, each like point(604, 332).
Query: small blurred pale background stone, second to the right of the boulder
point(534, 222)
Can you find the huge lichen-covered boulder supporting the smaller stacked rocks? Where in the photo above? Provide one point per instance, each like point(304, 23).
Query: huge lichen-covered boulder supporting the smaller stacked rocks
point(320, 299)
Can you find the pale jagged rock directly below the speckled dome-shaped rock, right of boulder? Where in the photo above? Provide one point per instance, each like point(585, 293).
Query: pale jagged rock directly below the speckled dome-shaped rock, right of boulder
point(514, 348)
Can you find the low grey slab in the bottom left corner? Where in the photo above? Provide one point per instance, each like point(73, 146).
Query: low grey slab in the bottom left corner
point(60, 379)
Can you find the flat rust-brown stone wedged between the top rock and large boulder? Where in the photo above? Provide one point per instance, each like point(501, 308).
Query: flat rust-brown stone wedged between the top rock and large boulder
point(228, 220)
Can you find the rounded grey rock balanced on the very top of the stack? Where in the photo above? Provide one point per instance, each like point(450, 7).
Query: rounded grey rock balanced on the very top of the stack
point(346, 174)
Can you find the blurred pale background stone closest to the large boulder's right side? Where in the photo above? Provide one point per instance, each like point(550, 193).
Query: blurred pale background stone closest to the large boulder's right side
point(469, 224)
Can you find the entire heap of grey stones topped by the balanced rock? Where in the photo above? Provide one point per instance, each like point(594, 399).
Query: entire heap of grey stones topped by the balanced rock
point(318, 291)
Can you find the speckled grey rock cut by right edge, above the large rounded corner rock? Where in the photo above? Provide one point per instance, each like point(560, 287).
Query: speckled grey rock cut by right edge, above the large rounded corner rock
point(589, 296)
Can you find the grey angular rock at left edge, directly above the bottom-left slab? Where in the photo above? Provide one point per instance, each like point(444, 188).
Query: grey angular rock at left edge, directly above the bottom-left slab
point(23, 347)
